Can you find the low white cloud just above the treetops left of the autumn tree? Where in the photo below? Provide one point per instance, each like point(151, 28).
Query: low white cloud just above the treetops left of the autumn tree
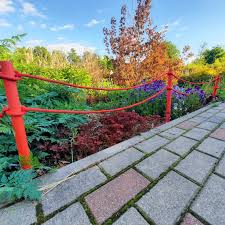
point(66, 47)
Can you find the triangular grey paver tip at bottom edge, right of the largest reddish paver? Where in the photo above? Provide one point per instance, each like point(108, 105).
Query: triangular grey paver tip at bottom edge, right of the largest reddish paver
point(131, 217)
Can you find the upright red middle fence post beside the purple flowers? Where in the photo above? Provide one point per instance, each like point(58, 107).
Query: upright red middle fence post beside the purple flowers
point(169, 96)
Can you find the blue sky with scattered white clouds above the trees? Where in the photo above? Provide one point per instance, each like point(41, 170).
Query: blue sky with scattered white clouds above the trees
point(79, 23)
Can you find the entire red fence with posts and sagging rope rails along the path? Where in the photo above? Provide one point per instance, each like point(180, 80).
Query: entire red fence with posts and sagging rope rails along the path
point(16, 111)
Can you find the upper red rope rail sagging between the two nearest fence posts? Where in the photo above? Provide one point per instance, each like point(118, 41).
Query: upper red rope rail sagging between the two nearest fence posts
point(80, 86)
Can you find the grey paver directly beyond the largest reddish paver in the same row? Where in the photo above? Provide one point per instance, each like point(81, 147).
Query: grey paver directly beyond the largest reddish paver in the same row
point(157, 163)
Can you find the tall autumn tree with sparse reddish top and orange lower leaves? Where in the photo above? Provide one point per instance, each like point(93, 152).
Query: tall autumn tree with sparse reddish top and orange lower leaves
point(138, 50)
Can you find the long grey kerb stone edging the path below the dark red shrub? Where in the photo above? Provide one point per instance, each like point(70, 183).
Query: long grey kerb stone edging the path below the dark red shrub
point(82, 164)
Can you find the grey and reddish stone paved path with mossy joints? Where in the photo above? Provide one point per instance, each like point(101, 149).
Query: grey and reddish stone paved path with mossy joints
point(173, 174)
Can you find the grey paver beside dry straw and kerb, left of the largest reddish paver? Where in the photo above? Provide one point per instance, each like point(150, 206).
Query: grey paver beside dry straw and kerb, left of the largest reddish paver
point(71, 189)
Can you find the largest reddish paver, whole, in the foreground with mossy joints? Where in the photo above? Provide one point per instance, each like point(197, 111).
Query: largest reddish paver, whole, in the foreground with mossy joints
point(108, 199)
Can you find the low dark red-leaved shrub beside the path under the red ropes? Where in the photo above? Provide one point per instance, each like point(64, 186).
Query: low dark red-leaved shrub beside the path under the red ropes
point(111, 129)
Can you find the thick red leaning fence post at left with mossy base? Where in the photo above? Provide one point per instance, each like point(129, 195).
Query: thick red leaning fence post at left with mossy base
point(15, 111)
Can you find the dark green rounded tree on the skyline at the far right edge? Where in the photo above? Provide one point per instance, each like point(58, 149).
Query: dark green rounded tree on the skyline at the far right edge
point(210, 56)
